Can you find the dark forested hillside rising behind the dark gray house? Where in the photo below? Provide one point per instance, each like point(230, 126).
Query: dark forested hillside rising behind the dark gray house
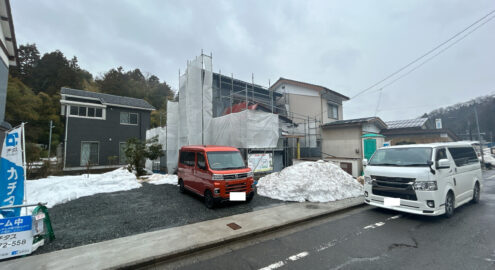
point(33, 91)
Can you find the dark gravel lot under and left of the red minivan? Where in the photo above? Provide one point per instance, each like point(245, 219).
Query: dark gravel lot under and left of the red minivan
point(152, 207)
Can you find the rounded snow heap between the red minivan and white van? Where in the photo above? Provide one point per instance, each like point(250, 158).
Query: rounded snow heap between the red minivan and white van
point(310, 181)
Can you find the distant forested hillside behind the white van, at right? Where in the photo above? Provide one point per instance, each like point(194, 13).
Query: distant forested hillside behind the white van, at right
point(460, 118)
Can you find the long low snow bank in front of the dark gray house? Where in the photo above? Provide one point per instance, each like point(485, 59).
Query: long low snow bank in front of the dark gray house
point(60, 189)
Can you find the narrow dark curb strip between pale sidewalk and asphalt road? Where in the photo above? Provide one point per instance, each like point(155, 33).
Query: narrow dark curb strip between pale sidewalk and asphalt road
point(146, 262)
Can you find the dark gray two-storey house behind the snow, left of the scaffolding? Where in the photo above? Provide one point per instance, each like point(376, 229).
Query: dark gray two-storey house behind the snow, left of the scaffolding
point(98, 125)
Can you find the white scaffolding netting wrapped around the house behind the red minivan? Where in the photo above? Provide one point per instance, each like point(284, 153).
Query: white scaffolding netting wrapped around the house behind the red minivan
point(190, 121)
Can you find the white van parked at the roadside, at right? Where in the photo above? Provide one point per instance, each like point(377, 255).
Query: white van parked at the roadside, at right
point(426, 179)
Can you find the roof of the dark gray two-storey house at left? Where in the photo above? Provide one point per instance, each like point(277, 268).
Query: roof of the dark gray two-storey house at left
point(107, 99)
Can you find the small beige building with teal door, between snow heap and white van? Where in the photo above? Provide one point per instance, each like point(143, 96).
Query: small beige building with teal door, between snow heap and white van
point(343, 141)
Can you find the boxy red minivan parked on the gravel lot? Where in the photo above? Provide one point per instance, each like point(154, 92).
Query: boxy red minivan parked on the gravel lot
point(215, 172)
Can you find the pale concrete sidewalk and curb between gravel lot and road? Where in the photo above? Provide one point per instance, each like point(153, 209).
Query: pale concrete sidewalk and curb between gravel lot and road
point(158, 247)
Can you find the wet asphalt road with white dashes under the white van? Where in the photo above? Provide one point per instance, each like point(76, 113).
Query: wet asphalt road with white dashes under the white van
point(370, 238)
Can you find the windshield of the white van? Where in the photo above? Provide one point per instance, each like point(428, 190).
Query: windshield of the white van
point(412, 156)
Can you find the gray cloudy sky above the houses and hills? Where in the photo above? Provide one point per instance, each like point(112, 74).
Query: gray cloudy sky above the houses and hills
point(346, 46)
